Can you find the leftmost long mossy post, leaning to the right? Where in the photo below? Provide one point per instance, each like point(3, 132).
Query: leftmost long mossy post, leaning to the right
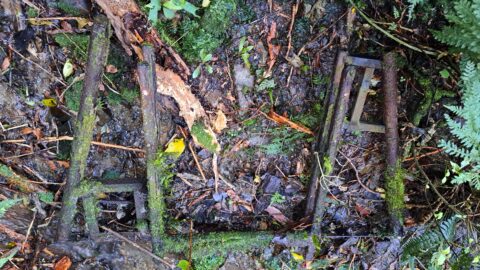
point(83, 130)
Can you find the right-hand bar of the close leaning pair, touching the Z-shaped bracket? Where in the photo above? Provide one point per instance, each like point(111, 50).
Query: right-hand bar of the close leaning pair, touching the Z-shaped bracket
point(327, 161)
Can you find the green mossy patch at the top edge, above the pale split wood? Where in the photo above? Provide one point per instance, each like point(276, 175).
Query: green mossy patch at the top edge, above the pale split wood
point(193, 35)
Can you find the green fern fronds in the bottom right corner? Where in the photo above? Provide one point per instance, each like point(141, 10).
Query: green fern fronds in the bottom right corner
point(433, 248)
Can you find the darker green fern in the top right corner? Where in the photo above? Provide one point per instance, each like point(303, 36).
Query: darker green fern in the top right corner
point(463, 33)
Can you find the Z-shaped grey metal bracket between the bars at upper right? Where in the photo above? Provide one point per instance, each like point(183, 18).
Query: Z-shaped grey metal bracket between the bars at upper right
point(370, 65)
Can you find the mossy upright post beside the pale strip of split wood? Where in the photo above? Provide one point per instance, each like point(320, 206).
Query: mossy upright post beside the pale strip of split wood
point(156, 201)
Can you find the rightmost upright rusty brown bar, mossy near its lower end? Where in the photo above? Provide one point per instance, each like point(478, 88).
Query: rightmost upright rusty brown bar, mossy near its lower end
point(394, 186)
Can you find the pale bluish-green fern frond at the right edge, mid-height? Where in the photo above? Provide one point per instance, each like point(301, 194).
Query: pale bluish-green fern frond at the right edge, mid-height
point(466, 131)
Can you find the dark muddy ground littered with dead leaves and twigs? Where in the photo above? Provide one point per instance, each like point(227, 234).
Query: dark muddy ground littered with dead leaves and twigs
point(264, 166)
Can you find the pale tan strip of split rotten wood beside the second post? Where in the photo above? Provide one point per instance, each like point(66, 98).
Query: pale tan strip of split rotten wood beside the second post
point(170, 84)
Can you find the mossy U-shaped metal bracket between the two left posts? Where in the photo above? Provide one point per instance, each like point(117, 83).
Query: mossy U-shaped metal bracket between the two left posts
point(89, 200)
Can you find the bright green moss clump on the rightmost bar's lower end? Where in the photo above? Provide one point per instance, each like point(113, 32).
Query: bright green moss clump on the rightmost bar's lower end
point(394, 192)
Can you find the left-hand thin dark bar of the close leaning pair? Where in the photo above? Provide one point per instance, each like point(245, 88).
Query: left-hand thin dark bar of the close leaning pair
point(326, 120)
